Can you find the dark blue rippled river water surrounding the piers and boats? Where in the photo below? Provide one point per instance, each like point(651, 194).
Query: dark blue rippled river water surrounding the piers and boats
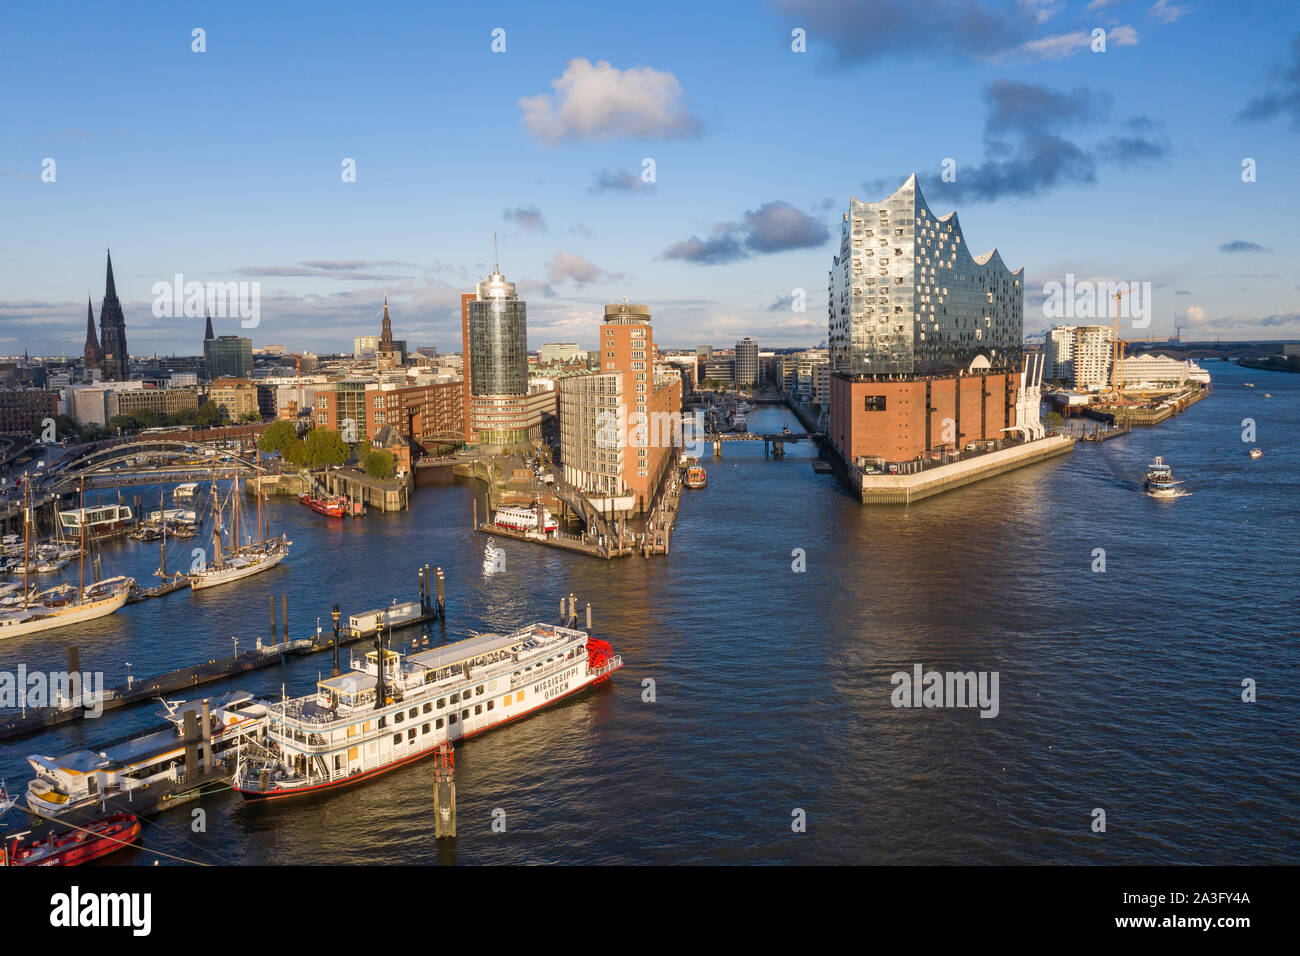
point(1119, 690)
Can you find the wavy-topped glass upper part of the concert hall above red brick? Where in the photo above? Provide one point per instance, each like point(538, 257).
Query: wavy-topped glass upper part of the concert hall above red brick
point(908, 297)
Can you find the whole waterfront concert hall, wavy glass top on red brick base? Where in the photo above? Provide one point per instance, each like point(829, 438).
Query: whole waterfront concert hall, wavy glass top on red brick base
point(926, 339)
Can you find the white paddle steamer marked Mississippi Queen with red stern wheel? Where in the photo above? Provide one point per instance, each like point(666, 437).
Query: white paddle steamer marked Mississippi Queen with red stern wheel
point(379, 717)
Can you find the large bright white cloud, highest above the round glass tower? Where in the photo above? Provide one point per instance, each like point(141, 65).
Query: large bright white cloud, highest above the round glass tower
point(601, 103)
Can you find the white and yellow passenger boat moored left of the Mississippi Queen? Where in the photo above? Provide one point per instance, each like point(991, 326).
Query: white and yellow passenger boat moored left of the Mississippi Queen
point(85, 778)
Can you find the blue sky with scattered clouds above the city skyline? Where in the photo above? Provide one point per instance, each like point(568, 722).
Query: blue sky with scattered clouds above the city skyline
point(226, 166)
